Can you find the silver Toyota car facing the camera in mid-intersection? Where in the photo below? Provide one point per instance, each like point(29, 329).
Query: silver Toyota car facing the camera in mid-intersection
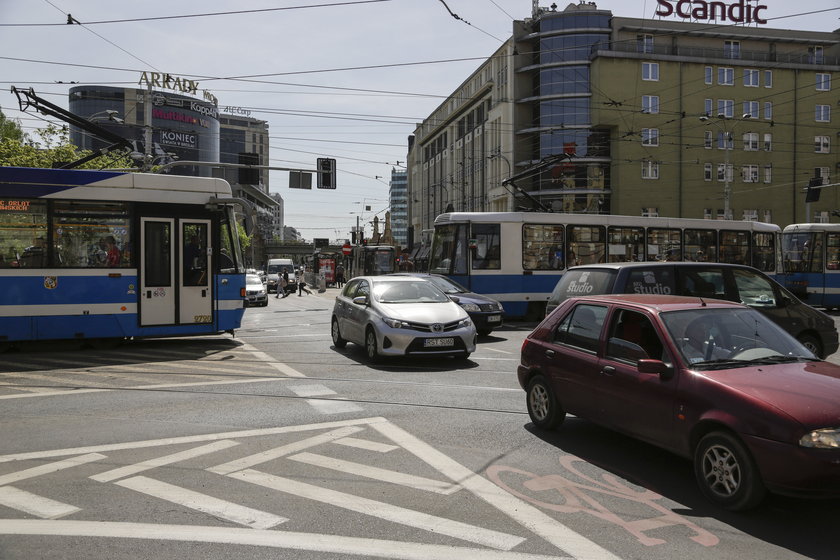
point(399, 316)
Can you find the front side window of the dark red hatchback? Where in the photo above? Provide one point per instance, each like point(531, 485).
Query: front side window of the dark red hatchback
point(633, 338)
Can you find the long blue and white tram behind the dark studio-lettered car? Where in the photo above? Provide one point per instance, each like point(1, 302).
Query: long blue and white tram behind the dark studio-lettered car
point(518, 257)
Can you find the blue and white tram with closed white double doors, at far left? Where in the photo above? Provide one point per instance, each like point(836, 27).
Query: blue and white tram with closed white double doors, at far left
point(104, 255)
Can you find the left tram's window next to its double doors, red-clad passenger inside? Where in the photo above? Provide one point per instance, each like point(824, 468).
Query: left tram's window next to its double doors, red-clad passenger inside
point(91, 234)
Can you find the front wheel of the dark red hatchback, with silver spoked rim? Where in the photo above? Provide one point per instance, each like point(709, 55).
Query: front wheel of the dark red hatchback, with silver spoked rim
point(726, 472)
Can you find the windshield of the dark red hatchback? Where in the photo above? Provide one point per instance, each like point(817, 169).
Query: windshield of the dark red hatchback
point(720, 338)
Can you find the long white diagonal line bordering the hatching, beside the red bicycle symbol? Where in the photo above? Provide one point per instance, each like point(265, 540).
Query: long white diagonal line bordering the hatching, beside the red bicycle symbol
point(525, 514)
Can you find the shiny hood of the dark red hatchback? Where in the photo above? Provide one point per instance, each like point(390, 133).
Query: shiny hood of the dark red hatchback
point(809, 392)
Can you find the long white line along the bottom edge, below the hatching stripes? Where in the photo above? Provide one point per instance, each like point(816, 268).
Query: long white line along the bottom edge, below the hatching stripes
point(326, 544)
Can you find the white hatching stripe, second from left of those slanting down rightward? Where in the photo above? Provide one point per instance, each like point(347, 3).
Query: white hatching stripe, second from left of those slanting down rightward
point(202, 502)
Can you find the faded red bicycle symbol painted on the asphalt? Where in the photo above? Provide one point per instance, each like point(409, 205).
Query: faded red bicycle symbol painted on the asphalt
point(576, 500)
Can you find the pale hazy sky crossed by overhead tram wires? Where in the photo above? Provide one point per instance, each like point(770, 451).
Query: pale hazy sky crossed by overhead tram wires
point(344, 79)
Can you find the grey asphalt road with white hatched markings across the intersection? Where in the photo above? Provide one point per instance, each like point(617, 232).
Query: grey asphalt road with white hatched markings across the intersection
point(274, 444)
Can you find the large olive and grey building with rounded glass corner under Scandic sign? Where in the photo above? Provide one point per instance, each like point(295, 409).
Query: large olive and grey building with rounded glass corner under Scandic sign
point(581, 111)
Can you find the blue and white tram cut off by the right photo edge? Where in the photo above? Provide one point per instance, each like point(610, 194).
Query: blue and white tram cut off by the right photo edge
point(811, 263)
